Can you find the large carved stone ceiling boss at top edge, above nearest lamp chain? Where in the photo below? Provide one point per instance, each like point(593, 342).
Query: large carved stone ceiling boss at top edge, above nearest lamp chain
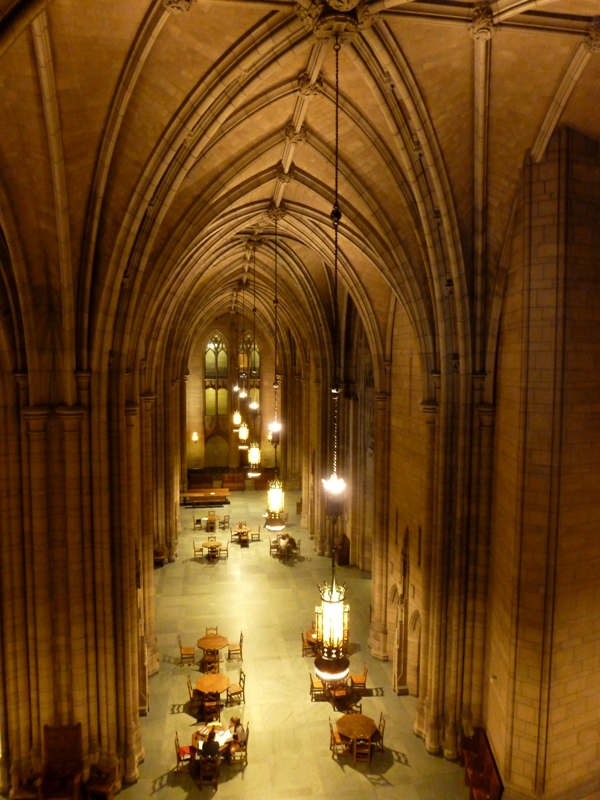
point(341, 18)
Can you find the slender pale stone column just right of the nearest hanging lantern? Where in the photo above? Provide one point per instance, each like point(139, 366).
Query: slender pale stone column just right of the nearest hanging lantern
point(379, 590)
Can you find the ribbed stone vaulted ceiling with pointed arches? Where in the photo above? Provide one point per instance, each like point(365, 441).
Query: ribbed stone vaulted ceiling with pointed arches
point(147, 147)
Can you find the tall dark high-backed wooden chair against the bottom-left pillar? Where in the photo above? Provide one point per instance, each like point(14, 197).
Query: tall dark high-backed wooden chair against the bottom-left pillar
point(63, 763)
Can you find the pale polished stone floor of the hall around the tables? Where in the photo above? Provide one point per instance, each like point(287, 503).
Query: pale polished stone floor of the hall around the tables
point(288, 751)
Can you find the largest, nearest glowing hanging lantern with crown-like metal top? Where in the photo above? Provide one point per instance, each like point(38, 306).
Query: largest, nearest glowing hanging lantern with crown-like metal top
point(332, 664)
